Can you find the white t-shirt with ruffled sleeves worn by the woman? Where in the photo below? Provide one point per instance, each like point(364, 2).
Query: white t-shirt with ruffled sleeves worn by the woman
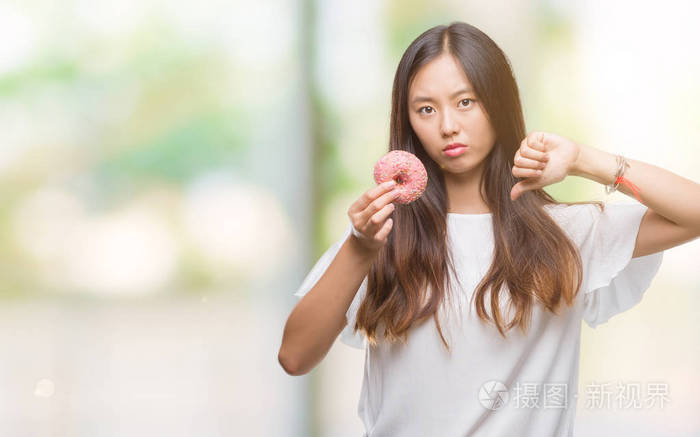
point(490, 386)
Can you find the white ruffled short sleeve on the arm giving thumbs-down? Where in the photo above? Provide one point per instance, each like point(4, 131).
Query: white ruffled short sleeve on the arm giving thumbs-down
point(614, 281)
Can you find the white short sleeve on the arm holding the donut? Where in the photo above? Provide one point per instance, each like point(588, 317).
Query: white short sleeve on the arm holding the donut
point(356, 340)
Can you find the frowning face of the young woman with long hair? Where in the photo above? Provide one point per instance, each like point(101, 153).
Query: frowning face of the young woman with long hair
point(444, 110)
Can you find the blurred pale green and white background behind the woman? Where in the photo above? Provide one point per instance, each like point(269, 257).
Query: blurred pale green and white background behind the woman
point(170, 171)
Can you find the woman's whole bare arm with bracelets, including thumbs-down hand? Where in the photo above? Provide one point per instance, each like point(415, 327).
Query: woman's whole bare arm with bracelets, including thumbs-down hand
point(673, 202)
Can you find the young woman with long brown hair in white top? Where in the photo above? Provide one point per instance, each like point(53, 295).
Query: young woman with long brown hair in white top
point(432, 290)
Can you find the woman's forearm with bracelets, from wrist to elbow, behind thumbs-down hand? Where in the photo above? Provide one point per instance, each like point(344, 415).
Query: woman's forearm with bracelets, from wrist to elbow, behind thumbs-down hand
point(668, 194)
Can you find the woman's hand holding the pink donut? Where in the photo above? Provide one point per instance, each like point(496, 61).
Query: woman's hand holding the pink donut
point(370, 216)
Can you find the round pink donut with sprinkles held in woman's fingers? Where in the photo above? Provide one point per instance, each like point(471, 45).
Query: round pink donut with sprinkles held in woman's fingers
point(408, 172)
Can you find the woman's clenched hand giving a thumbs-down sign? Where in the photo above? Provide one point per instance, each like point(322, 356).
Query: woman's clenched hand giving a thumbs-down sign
point(550, 154)
